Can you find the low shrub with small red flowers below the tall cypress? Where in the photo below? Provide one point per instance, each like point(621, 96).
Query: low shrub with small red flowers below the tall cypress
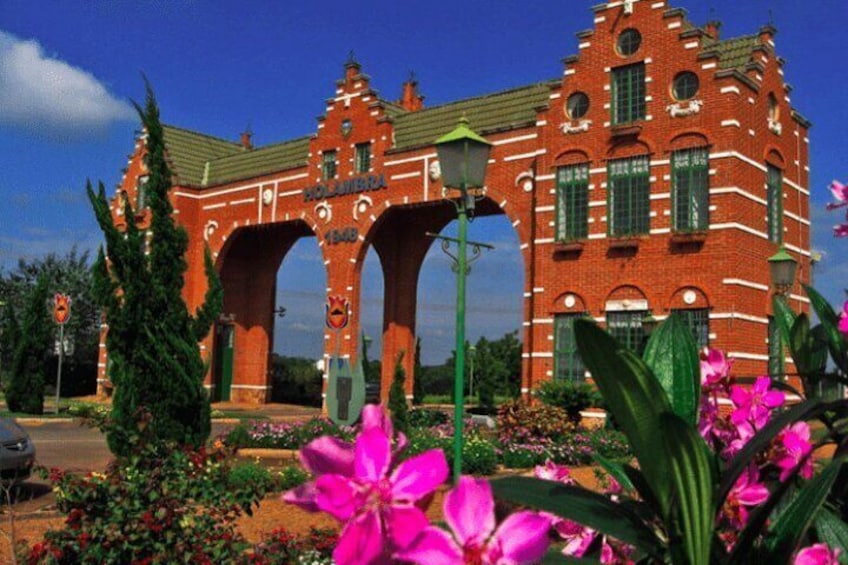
point(159, 504)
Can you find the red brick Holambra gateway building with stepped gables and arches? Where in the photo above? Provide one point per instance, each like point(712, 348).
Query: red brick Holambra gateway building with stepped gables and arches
point(657, 174)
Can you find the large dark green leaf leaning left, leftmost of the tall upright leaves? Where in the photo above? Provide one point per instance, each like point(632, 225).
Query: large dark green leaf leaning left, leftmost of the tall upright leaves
point(636, 400)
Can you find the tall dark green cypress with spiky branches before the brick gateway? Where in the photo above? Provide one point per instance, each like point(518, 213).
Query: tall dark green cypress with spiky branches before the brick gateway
point(152, 341)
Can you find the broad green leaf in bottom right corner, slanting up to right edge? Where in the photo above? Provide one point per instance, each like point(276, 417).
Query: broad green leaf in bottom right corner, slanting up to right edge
point(792, 524)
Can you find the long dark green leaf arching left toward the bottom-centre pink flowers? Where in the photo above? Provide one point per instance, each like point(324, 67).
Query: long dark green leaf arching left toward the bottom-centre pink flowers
point(580, 505)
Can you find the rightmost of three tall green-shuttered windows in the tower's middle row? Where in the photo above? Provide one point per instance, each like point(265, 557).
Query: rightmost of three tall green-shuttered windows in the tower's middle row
point(690, 189)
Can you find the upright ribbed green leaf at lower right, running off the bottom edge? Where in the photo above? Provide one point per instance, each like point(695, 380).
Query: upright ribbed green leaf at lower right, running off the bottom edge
point(693, 485)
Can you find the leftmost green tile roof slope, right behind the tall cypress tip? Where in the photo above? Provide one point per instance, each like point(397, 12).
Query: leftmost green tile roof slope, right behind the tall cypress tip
point(189, 151)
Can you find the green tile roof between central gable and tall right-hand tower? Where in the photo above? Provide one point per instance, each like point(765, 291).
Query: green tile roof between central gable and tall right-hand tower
point(500, 111)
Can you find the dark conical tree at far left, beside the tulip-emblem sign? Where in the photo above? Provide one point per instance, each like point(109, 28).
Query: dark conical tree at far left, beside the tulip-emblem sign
point(25, 386)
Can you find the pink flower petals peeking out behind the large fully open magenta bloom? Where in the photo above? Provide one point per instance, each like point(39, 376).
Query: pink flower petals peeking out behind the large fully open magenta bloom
point(327, 455)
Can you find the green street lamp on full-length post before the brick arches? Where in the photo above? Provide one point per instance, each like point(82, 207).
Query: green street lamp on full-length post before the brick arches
point(463, 157)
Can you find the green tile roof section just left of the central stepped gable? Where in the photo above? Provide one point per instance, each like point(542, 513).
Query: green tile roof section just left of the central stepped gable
point(259, 161)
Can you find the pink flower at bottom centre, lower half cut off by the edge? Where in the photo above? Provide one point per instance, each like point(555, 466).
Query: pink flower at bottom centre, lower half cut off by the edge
point(469, 511)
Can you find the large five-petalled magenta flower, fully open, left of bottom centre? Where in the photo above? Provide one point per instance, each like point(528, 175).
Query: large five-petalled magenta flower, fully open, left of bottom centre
point(375, 504)
